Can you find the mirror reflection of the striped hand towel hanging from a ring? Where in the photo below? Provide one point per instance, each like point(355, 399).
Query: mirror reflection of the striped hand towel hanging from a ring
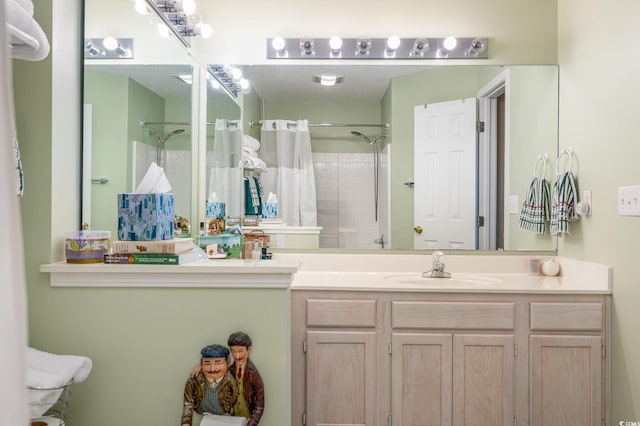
point(535, 209)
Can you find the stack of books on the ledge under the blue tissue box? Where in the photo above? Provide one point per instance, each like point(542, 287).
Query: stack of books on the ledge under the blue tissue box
point(175, 251)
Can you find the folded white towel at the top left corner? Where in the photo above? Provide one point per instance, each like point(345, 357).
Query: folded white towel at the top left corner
point(27, 40)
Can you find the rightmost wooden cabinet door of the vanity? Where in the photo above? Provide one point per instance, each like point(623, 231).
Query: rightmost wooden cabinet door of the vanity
point(566, 381)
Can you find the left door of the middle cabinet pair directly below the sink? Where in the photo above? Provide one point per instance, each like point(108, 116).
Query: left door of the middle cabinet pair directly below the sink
point(421, 379)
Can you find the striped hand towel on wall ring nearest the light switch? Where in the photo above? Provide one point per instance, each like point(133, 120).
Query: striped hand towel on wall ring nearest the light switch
point(565, 198)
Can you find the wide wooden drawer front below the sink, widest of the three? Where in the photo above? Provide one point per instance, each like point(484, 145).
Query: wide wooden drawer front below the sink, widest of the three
point(467, 315)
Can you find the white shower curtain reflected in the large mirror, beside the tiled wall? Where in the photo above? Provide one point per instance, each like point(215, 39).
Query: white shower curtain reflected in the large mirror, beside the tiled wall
point(286, 149)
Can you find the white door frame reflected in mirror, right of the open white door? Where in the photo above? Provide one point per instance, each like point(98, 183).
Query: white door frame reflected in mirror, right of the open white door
point(487, 161)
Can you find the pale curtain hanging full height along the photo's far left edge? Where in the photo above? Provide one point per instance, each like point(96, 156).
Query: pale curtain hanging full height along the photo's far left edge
point(13, 310)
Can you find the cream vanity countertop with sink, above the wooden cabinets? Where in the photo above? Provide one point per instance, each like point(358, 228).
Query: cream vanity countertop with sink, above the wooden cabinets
point(470, 274)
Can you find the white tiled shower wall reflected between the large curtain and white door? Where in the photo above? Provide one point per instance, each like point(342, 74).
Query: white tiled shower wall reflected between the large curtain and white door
point(345, 197)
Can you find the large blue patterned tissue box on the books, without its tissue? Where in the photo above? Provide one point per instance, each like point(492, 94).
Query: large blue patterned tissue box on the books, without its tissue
point(145, 217)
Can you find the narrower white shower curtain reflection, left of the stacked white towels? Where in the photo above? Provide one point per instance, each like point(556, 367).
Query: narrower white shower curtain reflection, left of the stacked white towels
point(226, 169)
